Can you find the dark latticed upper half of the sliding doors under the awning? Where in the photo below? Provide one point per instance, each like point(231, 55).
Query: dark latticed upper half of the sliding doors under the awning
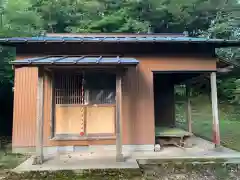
point(87, 88)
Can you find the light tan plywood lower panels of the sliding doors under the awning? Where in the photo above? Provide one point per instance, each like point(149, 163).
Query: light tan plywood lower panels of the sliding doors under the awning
point(99, 119)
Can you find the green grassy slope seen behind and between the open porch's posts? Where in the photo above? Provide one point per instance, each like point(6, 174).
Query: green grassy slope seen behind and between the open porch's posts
point(229, 120)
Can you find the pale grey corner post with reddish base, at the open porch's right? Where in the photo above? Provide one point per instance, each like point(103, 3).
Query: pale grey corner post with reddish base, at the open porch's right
point(216, 132)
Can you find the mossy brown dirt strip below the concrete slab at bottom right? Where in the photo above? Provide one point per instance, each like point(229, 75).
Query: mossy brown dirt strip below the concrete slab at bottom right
point(172, 171)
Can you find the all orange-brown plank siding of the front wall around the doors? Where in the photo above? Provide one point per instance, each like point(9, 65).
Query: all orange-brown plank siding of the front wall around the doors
point(138, 101)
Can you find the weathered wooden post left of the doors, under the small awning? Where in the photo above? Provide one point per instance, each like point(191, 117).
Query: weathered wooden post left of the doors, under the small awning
point(39, 128)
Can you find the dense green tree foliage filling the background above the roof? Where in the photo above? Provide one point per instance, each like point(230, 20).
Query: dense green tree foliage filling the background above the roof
point(195, 16)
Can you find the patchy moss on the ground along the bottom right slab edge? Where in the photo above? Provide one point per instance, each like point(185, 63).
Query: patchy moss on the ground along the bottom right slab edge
point(185, 170)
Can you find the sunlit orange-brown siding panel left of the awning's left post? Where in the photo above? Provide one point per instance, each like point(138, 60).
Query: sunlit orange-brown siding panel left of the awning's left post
point(25, 101)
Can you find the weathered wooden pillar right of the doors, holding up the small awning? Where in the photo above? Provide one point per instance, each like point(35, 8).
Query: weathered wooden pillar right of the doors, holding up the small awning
point(119, 155)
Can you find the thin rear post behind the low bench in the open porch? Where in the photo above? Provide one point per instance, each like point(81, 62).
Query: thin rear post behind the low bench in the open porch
point(189, 108)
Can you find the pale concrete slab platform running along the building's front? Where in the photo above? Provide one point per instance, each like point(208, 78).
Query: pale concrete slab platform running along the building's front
point(106, 159)
